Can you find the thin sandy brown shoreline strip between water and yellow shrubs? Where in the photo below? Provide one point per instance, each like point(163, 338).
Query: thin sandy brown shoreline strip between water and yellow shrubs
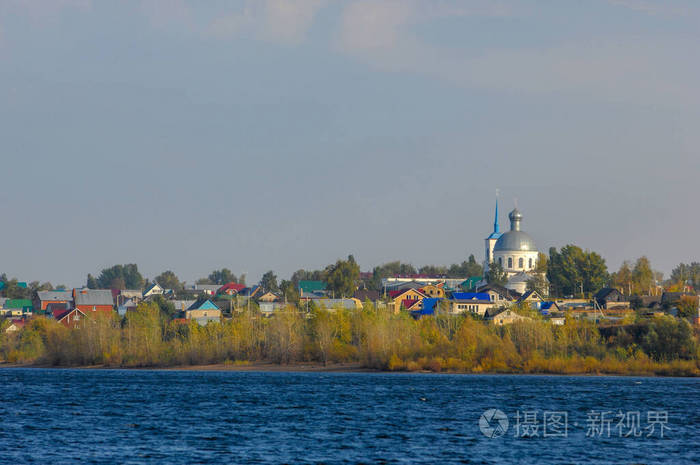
point(269, 367)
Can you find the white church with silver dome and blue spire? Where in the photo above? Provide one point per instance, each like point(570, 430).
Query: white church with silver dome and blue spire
point(513, 250)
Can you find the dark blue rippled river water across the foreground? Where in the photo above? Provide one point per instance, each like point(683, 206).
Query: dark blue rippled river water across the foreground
point(123, 416)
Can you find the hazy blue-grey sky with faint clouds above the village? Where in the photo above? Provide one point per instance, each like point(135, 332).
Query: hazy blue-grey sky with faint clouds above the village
point(278, 135)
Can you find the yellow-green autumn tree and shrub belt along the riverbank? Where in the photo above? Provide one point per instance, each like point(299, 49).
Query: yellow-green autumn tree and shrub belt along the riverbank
point(371, 337)
